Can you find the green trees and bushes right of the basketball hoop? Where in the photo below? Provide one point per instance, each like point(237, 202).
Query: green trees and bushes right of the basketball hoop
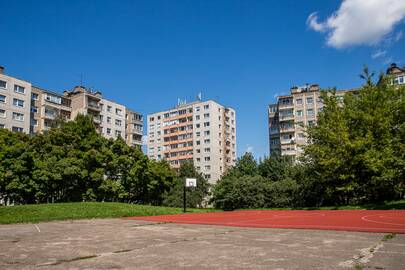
point(355, 155)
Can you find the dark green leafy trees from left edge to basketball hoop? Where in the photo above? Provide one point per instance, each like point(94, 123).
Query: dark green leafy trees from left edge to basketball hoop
point(72, 162)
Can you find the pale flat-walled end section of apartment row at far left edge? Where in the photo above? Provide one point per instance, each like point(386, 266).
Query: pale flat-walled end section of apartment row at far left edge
point(15, 99)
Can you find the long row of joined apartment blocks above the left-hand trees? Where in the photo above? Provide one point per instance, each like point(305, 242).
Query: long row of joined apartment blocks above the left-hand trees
point(30, 109)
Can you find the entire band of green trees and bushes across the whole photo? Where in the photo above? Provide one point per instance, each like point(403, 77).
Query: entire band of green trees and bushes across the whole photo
point(355, 155)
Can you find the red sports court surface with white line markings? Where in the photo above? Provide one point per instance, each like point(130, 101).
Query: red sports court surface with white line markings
point(387, 221)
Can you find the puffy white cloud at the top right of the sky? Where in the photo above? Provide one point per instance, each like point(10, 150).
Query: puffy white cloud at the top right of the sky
point(360, 22)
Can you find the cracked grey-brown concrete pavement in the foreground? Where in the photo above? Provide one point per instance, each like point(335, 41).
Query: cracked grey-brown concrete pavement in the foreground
point(130, 244)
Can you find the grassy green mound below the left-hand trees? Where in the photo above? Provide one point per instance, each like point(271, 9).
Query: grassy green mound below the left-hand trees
point(82, 210)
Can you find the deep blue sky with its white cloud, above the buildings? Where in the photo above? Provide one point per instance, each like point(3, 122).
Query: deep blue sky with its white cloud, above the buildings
point(146, 54)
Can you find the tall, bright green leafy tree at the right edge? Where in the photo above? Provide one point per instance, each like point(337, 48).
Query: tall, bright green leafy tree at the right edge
point(357, 145)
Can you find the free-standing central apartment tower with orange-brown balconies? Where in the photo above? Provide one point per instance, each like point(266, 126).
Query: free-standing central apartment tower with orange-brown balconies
point(203, 132)
